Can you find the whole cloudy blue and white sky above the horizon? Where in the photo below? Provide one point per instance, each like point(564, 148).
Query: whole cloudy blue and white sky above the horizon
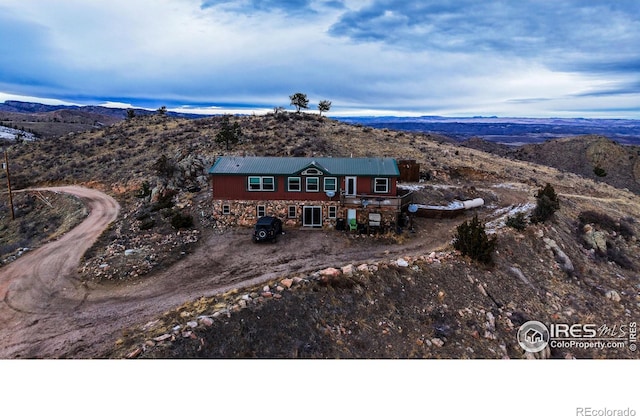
point(544, 58)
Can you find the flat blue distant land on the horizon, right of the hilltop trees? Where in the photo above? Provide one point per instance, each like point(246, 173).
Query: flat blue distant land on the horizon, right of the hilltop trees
point(512, 131)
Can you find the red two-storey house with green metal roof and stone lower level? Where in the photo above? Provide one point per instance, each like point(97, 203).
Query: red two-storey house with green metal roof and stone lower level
point(307, 191)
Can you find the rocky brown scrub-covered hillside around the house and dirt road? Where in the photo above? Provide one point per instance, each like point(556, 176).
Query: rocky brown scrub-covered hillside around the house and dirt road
point(579, 267)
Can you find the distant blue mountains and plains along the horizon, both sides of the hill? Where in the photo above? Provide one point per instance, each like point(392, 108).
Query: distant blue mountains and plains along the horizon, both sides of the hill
point(39, 119)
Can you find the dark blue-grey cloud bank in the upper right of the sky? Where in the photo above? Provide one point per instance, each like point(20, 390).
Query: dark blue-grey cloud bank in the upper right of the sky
point(585, 32)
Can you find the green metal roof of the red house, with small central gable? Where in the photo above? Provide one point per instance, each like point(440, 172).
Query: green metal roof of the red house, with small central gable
point(339, 166)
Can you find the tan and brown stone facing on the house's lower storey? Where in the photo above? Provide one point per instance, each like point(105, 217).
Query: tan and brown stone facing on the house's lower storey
point(244, 213)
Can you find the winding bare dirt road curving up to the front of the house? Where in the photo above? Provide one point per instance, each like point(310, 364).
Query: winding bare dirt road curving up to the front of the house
point(47, 312)
